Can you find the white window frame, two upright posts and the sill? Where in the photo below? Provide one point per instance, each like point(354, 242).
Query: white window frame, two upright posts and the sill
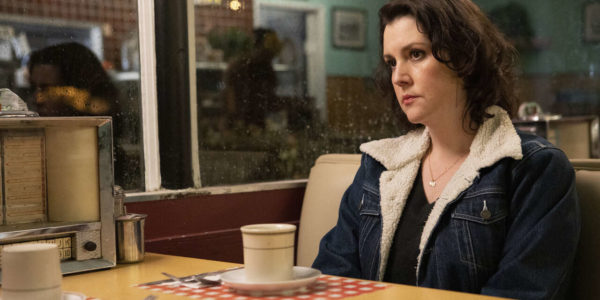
point(148, 93)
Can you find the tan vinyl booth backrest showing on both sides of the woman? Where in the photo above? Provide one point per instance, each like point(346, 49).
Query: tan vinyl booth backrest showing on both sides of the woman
point(333, 173)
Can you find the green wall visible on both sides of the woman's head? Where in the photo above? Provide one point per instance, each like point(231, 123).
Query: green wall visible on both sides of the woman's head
point(557, 25)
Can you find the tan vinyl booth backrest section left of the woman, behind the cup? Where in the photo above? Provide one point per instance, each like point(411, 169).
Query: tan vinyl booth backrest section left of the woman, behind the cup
point(328, 180)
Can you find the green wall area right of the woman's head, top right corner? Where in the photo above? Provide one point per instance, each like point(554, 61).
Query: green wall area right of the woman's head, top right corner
point(558, 25)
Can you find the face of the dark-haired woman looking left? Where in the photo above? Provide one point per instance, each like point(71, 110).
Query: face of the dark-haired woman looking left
point(428, 91)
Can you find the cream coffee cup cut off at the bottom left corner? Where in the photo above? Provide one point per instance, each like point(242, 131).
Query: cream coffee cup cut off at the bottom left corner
point(31, 271)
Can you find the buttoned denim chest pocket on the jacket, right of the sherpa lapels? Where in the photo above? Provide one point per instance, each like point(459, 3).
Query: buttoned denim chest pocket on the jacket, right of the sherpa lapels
point(479, 222)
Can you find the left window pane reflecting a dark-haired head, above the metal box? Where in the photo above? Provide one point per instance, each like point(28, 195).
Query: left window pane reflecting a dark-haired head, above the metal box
point(78, 58)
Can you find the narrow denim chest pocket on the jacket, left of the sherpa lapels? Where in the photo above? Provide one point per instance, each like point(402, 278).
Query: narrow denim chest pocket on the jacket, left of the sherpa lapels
point(369, 232)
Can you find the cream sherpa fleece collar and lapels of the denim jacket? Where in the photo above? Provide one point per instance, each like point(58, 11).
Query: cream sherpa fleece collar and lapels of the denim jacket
point(496, 139)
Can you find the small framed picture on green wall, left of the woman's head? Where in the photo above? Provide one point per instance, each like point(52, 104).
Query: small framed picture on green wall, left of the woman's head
point(348, 27)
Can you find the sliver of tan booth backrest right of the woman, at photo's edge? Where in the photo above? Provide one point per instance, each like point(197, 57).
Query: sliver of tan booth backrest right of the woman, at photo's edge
point(586, 274)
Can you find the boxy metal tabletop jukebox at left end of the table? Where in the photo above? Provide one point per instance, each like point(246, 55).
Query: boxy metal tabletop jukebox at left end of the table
point(57, 187)
